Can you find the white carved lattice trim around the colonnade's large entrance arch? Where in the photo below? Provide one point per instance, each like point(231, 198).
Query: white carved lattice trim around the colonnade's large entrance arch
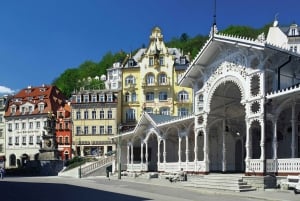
point(218, 82)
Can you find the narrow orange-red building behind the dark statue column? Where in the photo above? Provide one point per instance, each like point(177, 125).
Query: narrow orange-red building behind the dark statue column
point(64, 132)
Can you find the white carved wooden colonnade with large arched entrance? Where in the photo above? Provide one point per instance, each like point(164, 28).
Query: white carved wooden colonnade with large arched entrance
point(246, 114)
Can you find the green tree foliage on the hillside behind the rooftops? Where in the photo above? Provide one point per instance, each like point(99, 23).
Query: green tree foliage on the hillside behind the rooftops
point(69, 79)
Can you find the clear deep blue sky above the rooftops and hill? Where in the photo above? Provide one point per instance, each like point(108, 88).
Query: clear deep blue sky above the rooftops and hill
point(40, 39)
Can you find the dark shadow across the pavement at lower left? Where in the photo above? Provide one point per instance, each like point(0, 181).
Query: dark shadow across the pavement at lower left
point(15, 191)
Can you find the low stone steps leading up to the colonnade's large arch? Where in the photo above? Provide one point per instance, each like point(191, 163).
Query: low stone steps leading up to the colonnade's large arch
point(226, 182)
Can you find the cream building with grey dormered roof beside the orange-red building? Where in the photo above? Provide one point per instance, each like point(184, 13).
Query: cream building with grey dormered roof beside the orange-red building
point(95, 116)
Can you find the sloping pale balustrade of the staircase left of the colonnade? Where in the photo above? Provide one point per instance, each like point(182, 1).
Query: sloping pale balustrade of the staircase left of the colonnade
point(85, 171)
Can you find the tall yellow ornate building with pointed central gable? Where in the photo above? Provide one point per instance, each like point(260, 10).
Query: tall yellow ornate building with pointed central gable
point(149, 80)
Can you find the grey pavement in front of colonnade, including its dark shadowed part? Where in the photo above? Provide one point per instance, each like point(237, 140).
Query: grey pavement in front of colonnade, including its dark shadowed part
point(100, 188)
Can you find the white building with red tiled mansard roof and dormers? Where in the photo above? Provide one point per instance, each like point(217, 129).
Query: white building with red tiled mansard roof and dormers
point(25, 120)
